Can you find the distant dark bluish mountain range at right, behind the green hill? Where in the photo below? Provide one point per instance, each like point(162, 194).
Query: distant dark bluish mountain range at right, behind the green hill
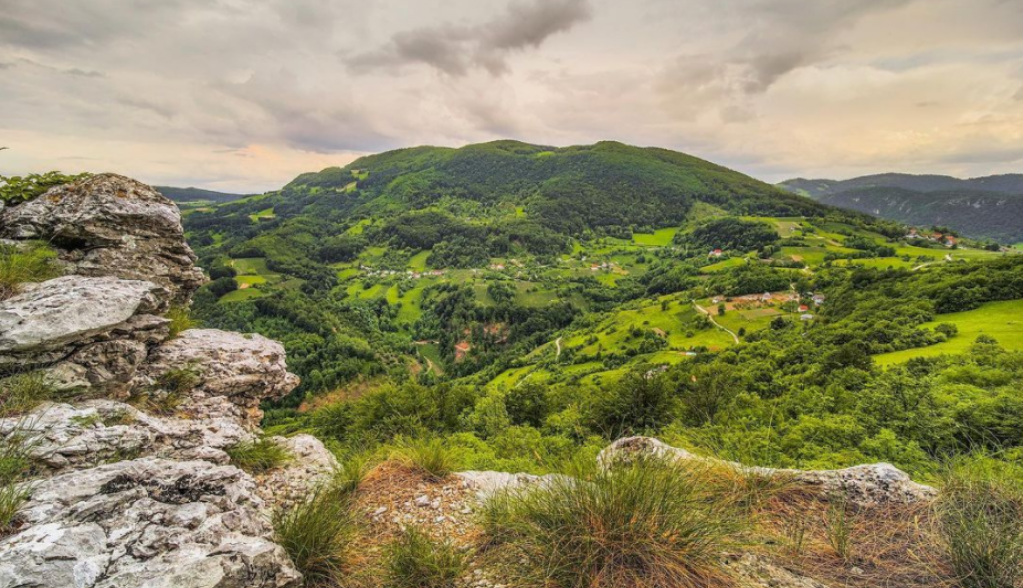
point(990, 207)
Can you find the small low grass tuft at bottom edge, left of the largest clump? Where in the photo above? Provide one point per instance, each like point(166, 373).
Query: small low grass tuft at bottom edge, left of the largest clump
point(417, 561)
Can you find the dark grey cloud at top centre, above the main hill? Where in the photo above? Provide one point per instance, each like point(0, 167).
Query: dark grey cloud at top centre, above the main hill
point(455, 50)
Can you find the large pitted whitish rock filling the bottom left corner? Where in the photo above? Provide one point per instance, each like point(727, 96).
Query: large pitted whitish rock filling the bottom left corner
point(146, 523)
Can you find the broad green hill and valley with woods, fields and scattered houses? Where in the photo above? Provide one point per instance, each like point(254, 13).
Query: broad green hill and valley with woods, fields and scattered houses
point(528, 303)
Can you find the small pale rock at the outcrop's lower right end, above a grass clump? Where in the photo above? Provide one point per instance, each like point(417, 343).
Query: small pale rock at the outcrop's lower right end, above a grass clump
point(312, 465)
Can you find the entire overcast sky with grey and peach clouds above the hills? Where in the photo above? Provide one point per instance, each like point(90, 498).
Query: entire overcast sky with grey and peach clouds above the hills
point(243, 96)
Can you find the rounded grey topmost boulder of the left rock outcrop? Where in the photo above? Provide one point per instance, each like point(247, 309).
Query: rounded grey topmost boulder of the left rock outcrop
point(110, 225)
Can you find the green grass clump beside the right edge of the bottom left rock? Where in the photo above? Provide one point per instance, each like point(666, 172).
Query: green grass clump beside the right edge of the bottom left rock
point(318, 534)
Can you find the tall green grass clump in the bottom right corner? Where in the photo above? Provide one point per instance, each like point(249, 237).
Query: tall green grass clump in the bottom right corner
point(981, 522)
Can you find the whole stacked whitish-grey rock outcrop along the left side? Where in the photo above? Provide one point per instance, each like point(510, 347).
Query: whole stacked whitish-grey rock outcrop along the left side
point(145, 495)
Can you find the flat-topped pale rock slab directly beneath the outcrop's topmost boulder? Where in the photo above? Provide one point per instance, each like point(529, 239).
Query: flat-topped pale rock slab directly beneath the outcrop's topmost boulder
point(88, 331)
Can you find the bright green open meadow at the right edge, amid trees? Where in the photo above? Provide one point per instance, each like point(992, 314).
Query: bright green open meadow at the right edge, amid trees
point(1003, 321)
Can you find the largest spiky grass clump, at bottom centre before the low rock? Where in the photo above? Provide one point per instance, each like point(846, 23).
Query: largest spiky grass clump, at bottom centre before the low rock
point(640, 525)
